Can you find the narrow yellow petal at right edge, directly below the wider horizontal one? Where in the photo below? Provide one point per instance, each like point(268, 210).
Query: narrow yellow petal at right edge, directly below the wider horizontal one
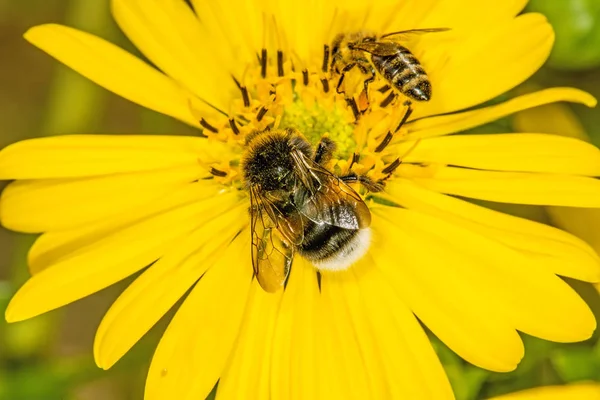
point(510, 187)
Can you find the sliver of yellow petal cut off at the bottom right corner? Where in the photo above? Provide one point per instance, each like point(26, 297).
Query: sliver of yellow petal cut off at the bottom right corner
point(575, 391)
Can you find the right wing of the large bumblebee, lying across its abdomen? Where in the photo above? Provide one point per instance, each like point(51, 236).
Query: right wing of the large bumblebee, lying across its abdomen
point(331, 203)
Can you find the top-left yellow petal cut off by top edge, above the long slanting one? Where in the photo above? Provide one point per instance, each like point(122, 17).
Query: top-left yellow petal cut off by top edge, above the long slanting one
point(170, 35)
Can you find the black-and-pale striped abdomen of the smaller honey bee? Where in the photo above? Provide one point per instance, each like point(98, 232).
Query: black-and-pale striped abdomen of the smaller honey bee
point(405, 73)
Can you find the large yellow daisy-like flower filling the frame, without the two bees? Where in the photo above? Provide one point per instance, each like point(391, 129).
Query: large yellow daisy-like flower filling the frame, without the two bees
point(109, 206)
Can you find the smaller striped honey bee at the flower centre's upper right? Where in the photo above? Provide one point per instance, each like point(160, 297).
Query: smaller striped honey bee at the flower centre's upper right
point(398, 66)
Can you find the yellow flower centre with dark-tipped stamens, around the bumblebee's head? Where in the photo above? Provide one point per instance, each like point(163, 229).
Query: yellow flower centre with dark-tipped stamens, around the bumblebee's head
point(273, 95)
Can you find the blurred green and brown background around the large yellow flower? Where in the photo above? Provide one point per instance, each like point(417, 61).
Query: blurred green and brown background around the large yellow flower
point(50, 357)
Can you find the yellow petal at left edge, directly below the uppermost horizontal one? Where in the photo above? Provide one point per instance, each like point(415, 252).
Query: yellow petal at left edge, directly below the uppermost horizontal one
point(58, 204)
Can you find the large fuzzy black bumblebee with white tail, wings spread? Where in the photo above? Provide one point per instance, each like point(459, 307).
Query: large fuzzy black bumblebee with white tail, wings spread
point(299, 206)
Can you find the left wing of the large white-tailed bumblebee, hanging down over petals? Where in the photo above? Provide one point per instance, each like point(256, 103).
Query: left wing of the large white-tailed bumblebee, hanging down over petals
point(271, 256)
